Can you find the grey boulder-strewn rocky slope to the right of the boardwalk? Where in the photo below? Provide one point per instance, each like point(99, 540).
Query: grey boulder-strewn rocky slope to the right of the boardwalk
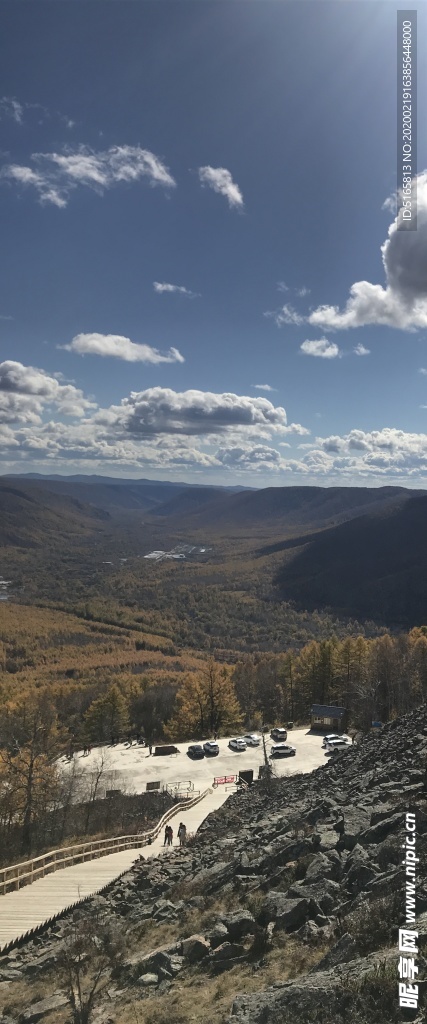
point(309, 863)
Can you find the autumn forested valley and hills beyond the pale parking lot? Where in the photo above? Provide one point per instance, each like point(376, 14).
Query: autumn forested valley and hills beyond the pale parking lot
point(98, 642)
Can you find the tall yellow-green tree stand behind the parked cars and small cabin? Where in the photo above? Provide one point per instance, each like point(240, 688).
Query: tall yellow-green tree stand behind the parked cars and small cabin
point(377, 678)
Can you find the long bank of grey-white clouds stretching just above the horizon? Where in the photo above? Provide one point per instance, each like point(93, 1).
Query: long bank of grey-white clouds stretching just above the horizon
point(163, 431)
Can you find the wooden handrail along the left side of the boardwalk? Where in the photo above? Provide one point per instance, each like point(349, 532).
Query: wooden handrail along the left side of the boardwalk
point(51, 862)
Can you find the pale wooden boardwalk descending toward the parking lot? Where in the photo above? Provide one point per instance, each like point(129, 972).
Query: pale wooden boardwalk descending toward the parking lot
point(28, 908)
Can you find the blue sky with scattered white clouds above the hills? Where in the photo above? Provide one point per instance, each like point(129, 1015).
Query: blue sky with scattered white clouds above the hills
point(241, 154)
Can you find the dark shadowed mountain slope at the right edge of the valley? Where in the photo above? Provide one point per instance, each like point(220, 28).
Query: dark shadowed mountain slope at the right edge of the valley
point(374, 567)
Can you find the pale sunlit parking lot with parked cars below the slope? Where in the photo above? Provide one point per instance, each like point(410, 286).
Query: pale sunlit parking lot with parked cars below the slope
point(131, 769)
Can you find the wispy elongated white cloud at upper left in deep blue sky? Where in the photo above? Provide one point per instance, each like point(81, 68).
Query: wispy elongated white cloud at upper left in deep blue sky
point(56, 176)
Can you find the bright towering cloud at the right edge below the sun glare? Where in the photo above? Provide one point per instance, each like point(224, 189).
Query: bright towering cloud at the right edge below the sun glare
point(403, 304)
